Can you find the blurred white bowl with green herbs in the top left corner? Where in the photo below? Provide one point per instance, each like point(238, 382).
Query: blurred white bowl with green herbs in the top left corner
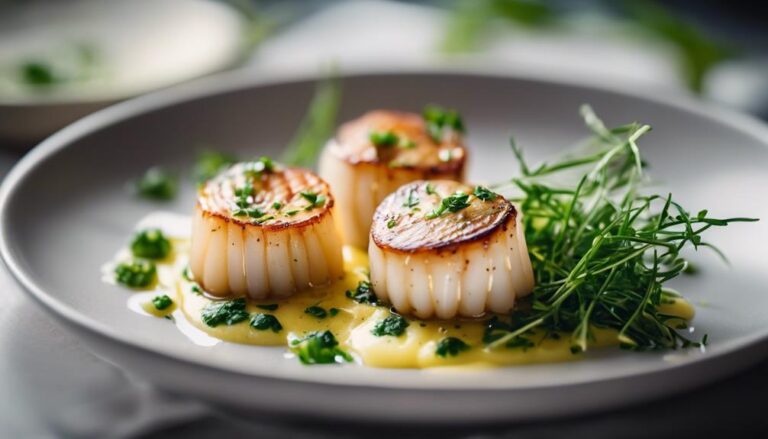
point(109, 50)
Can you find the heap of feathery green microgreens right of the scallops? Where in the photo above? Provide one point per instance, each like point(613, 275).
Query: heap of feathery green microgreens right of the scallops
point(603, 248)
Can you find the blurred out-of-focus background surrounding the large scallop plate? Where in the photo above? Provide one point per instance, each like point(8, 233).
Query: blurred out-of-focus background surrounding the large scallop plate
point(63, 59)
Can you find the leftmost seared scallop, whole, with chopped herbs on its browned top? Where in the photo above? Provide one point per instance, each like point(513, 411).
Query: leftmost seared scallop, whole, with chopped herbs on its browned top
point(261, 230)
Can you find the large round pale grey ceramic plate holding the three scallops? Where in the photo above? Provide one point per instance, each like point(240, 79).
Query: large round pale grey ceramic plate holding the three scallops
point(65, 210)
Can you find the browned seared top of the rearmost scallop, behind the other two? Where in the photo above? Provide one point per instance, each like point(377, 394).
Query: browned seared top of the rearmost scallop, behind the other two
point(414, 150)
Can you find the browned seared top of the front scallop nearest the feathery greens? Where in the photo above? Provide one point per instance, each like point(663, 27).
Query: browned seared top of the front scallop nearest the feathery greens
point(409, 220)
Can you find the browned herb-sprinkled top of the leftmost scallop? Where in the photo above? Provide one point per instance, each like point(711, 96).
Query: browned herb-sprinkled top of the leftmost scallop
point(280, 198)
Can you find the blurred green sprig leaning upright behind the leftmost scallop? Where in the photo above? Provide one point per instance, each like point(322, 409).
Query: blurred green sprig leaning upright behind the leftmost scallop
point(316, 127)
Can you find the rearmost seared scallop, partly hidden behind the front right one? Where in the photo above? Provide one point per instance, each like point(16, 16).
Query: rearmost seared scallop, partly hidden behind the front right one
point(372, 156)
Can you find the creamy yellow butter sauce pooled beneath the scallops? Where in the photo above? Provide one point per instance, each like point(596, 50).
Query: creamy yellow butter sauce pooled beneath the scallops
point(353, 322)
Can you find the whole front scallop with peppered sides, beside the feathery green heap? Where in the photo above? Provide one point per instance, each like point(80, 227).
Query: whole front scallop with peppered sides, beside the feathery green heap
point(444, 249)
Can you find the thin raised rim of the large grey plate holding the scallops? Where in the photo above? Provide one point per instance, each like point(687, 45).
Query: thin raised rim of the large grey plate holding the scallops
point(241, 79)
